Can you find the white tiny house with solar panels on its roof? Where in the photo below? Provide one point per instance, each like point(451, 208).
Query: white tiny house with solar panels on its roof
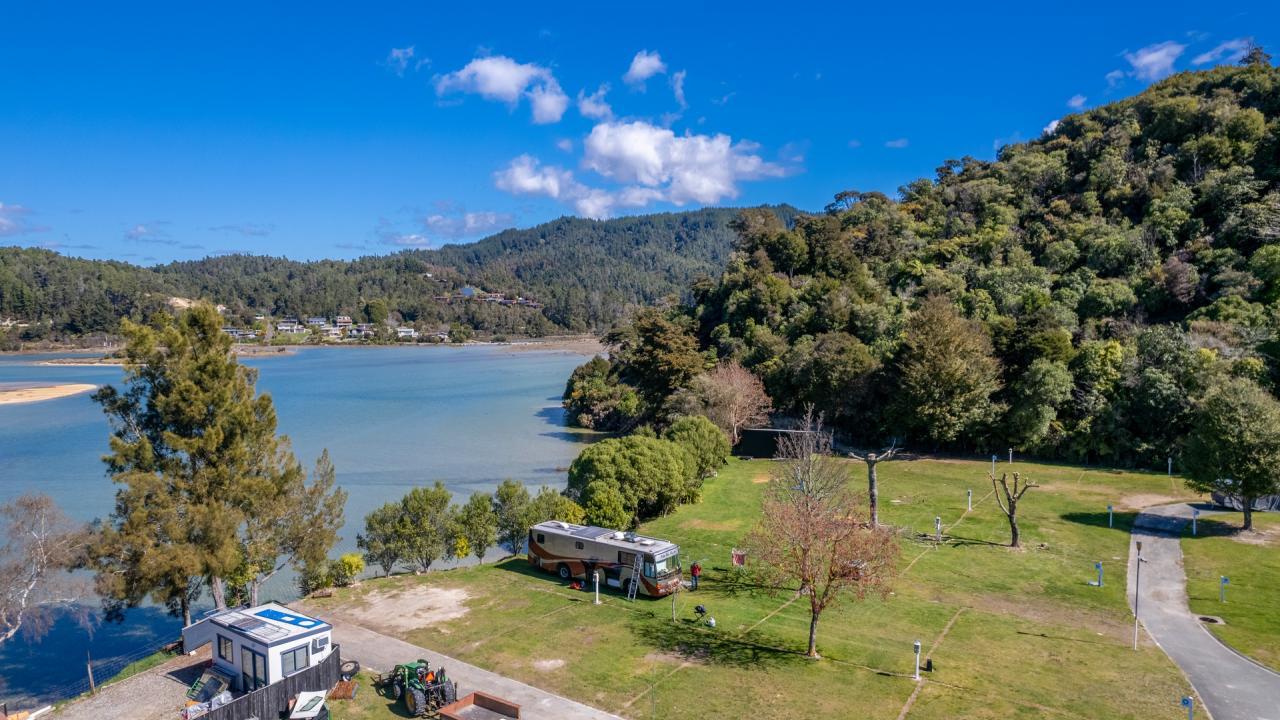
point(263, 645)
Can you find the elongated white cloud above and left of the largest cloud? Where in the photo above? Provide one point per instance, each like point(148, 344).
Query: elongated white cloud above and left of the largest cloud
point(508, 81)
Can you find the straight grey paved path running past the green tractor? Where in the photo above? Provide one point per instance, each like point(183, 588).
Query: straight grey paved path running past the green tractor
point(382, 653)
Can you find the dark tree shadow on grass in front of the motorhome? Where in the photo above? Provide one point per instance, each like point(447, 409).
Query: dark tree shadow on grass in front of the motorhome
point(698, 644)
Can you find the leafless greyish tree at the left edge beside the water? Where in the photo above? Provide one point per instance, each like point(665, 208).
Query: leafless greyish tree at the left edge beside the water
point(42, 546)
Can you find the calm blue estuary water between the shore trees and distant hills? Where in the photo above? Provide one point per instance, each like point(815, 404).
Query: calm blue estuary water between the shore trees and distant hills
point(392, 418)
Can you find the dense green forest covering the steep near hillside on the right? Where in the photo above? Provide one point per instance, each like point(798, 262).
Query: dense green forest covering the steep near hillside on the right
point(1073, 298)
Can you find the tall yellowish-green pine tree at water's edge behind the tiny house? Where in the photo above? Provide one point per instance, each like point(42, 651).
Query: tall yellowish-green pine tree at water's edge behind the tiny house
point(207, 486)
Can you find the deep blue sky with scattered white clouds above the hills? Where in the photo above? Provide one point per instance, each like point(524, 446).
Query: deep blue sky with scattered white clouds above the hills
point(153, 133)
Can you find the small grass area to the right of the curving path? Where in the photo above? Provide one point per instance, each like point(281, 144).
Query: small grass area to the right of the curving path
point(1252, 563)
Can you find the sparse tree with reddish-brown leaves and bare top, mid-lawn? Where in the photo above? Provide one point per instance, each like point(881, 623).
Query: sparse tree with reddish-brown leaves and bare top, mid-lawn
point(812, 534)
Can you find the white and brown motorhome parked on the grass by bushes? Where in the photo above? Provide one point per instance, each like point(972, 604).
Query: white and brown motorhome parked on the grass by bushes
point(625, 560)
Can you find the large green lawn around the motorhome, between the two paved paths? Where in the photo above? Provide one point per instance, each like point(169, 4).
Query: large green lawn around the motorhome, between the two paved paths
point(1012, 634)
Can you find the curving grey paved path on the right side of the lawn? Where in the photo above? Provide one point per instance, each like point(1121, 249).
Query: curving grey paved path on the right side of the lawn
point(1232, 686)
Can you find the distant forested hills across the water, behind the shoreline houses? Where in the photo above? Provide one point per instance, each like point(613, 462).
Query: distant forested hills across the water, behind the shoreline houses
point(584, 274)
